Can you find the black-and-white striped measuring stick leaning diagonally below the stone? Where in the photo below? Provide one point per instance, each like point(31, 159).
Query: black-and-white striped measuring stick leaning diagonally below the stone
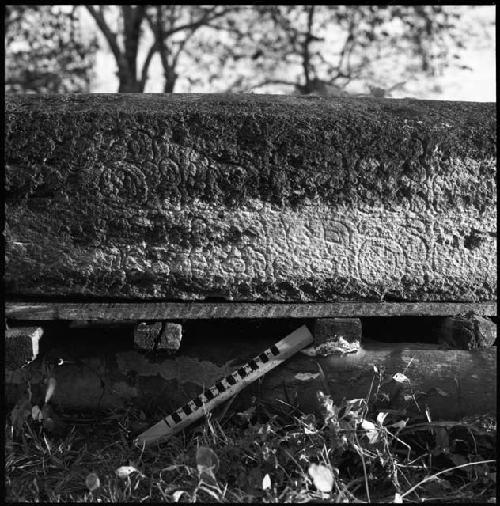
point(227, 387)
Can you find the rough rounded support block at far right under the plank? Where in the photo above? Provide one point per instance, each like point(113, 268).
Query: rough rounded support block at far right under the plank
point(468, 331)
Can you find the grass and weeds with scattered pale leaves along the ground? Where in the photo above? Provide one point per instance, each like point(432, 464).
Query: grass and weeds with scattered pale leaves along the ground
point(350, 453)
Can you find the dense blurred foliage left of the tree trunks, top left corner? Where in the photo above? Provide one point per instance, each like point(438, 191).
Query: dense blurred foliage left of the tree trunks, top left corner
point(45, 51)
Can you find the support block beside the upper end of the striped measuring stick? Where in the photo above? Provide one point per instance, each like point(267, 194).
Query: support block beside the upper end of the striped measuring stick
point(337, 335)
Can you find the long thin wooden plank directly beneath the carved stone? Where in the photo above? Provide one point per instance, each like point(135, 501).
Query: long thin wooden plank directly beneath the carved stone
point(133, 311)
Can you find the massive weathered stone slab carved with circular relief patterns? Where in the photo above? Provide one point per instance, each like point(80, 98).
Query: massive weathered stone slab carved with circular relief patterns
point(250, 198)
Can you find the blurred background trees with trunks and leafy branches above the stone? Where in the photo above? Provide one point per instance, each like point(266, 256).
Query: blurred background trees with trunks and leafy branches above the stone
point(236, 48)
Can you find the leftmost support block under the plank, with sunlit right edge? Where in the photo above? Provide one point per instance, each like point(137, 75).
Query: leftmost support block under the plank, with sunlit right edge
point(21, 345)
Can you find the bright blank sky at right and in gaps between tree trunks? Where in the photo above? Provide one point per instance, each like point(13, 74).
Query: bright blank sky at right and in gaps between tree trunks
point(478, 84)
